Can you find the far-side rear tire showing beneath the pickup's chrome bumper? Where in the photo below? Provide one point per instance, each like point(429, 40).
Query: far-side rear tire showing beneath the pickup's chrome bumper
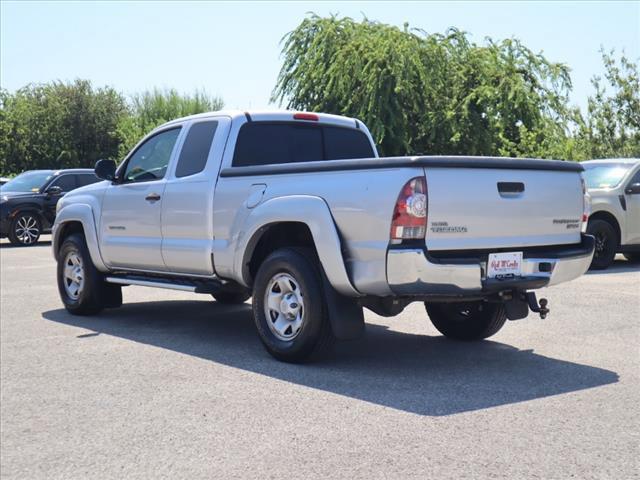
point(467, 321)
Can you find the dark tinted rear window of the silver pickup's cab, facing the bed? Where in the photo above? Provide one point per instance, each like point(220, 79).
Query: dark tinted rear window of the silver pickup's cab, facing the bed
point(263, 143)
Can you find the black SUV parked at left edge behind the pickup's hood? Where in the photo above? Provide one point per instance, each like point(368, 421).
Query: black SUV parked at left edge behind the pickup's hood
point(28, 202)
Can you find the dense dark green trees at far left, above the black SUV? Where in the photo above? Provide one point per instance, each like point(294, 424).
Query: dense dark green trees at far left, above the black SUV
point(58, 125)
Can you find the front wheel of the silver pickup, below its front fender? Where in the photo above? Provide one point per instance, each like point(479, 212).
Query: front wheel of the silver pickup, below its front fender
point(82, 288)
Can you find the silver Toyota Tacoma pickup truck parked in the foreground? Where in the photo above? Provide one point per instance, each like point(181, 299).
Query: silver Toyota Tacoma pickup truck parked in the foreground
point(297, 211)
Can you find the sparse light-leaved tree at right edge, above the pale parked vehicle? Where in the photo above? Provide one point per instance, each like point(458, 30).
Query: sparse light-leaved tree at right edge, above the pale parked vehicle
point(612, 124)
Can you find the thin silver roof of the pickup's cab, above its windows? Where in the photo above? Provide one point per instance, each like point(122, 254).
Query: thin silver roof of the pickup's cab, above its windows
point(271, 115)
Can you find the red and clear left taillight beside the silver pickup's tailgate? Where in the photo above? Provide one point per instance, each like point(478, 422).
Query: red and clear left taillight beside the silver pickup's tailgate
point(409, 221)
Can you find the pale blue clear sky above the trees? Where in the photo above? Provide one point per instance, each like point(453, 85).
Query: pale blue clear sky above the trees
point(232, 49)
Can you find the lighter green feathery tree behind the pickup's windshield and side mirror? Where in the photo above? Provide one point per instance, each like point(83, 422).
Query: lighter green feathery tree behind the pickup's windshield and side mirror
point(149, 109)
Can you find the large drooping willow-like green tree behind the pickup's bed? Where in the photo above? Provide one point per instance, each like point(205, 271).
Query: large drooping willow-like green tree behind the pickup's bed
point(427, 93)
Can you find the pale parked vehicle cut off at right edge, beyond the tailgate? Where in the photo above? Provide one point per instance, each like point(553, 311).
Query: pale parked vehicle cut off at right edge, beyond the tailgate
point(614, 188)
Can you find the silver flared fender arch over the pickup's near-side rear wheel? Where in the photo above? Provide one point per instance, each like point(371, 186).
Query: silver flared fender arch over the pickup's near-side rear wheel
point(315, 214)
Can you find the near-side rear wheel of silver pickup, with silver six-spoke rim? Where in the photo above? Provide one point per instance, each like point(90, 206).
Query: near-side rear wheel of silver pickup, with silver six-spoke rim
point(289, 306)
